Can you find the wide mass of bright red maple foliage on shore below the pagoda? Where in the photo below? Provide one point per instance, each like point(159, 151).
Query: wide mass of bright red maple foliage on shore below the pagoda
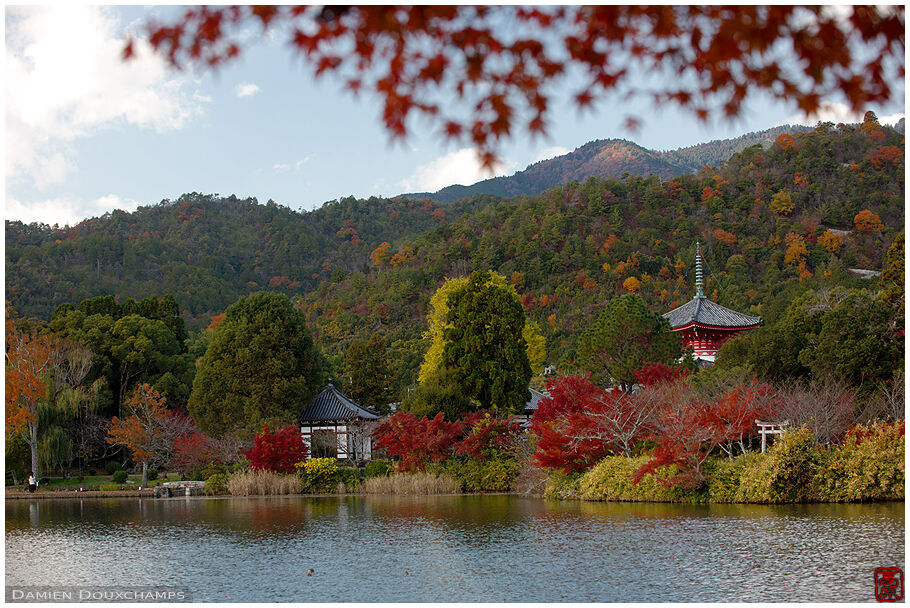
point(580, 423)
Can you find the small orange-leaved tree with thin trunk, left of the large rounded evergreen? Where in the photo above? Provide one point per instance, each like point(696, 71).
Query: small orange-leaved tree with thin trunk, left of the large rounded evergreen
point(143, 432)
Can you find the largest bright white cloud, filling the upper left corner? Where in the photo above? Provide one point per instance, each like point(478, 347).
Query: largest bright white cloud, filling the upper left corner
point(65, 79)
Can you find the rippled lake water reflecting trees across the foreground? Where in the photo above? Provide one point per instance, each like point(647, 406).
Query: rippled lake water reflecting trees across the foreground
point(455, 548)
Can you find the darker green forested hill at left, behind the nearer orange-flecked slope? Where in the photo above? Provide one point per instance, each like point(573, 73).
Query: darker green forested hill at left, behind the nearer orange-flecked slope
point(206, 250)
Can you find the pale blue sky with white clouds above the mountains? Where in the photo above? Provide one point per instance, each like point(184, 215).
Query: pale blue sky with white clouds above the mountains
point(87, 133)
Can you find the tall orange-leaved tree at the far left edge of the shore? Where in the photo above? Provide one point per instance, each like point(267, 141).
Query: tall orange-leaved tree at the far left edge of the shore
point(28, 360)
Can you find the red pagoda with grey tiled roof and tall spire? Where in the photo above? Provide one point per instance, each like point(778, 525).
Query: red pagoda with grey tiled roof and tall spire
point(705, 325)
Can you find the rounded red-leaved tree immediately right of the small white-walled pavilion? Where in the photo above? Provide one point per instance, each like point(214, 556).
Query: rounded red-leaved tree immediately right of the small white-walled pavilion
point(417, 441)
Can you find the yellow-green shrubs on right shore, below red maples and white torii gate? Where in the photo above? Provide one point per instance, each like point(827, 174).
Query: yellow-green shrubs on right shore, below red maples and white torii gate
point(867, 466)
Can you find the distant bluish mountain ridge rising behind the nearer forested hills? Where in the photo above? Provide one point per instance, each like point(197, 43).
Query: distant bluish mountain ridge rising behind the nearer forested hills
point(607, 158)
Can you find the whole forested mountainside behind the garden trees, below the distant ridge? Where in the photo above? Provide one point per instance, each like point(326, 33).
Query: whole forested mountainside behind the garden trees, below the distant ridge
point(773, 223)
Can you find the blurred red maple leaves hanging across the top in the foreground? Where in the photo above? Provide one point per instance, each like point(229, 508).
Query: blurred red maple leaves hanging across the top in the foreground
point(459, 66)
